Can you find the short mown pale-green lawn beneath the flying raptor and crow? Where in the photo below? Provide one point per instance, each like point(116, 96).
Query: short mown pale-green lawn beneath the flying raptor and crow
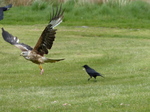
point(122, 55)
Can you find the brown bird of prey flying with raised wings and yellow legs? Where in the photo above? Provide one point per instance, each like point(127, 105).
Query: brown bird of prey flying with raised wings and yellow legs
point(45, 42)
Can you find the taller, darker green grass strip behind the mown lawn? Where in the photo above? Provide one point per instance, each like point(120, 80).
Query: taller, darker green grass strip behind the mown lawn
point(134, 14)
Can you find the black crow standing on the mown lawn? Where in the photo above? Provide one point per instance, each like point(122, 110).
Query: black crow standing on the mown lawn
point(91, 72)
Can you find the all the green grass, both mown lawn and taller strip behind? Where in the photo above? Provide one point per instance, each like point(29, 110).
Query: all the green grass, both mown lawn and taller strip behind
point(112, 39)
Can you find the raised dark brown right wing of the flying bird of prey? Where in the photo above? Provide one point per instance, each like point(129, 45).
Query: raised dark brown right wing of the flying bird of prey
point(47, 37)
